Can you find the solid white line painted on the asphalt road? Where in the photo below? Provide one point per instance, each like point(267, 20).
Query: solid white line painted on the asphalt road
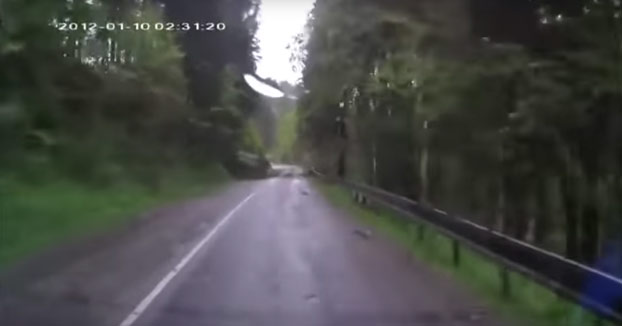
point(144, 304)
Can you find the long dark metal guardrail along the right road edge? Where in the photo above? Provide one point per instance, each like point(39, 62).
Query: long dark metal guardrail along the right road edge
point(565, 277)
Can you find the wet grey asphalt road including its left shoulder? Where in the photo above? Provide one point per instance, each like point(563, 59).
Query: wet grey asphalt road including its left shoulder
point(271, 252)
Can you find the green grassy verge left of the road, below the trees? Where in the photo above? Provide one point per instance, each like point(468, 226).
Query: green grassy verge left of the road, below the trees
point(34, 216)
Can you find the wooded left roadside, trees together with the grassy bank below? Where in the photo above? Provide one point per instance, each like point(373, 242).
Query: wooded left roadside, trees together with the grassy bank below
point(102, 121)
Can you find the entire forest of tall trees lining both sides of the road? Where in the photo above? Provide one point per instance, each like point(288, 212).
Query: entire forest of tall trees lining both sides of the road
point(507, 113)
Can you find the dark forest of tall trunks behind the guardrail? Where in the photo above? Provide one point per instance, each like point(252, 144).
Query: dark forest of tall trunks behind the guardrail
point(508, 113)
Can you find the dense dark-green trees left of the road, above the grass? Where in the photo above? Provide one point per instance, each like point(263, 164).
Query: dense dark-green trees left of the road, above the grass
point(103, 104)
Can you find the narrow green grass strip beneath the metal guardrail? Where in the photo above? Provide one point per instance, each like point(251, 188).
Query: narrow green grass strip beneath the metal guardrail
point(529, 303)
